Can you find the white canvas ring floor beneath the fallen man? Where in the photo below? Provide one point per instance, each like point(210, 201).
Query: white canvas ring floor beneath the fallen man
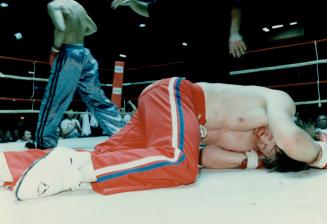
point(218, 196)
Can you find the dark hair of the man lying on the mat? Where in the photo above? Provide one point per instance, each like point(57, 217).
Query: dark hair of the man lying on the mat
point(283, 163)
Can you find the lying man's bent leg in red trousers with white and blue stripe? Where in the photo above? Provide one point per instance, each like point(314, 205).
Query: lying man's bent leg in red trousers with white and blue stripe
point(169, 153)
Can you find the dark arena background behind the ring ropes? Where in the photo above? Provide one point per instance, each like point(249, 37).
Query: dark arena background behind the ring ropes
point(155, 52)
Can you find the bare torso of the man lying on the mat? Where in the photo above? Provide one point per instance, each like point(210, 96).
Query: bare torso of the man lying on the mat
point(234, 112)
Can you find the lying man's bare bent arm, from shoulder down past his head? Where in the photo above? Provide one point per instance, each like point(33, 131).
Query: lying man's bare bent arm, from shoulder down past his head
point(293, 140)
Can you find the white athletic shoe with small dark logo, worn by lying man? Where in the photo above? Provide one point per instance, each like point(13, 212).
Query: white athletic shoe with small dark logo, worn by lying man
point(56, 172)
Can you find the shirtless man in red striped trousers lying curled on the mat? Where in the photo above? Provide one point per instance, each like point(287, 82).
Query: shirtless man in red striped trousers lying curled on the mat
point(239, 126)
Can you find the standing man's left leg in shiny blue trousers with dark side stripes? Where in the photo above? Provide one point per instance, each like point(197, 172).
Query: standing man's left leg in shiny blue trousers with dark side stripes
point(59, 93)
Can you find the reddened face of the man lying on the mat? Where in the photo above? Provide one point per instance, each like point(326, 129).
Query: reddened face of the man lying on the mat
point(266, 143)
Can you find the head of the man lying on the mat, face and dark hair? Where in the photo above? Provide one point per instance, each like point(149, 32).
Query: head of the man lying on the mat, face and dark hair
point(275, 158)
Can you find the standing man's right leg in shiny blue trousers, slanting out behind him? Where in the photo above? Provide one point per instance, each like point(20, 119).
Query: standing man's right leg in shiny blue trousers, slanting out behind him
point(89, 89)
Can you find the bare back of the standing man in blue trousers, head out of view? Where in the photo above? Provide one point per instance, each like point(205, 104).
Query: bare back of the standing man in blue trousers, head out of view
point(71, 22)
